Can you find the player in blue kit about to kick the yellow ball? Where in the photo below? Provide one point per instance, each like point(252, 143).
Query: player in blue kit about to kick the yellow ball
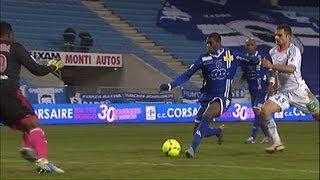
point(218, 67)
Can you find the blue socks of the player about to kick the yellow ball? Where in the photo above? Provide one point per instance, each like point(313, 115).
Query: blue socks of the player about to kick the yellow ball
point(203, 130)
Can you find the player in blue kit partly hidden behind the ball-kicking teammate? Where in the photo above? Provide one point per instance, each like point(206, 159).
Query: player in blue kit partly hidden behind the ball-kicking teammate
point(257, 79)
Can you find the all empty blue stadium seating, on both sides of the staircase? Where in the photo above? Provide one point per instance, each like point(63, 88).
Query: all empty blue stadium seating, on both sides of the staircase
point(47, 34)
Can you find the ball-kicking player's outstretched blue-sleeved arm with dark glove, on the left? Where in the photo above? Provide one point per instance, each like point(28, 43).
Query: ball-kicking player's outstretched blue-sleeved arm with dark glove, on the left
point(183, 77)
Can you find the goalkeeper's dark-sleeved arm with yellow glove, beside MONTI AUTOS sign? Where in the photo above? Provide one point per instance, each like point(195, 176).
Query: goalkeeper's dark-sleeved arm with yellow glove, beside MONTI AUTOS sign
point(29, 62)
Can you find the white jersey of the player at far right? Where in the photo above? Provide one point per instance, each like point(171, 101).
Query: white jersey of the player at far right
point(291, 56)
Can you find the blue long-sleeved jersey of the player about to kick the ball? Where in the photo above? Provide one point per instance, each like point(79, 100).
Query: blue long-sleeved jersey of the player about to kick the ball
point(218, 70)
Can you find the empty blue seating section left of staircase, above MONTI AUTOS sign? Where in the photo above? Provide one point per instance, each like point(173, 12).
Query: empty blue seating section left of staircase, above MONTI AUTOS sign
point(42, 30)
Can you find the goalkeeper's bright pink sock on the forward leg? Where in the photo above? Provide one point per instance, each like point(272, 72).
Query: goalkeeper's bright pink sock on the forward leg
point(39, 142)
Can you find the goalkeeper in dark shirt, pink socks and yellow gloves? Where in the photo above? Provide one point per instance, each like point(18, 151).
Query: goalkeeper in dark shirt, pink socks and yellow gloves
point(16, 111)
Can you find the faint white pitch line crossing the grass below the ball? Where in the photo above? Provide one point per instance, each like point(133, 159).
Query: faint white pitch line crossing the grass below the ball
point(181, 165)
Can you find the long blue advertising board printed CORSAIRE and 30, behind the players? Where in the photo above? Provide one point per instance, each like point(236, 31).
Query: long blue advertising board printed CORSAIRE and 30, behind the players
point(145, 113)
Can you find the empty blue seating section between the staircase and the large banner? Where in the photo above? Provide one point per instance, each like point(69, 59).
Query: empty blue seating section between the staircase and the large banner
point(144, 18)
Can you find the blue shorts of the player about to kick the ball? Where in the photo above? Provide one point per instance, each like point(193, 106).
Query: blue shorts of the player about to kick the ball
point(205, 101)
